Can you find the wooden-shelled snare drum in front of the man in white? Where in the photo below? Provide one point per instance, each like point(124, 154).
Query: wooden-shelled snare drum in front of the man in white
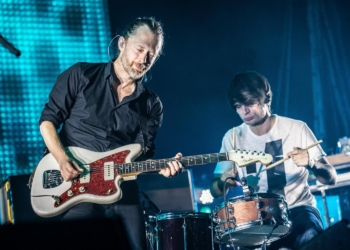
point(250, 222)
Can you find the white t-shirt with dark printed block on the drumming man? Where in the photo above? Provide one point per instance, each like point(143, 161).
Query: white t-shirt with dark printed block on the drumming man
point(287, 178)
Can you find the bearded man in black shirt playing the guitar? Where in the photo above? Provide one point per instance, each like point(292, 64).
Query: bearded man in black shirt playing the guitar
point(103, 106)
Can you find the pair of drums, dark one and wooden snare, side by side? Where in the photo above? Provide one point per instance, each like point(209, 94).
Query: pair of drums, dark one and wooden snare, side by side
point(250, 221)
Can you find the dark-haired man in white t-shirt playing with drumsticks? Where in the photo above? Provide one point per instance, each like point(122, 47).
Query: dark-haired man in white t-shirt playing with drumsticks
point(250, 95)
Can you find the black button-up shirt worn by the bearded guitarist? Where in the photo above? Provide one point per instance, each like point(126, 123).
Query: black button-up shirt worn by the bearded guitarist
point(84, 102)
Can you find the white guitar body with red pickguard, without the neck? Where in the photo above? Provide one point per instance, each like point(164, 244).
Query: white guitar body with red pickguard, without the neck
point(99, 183)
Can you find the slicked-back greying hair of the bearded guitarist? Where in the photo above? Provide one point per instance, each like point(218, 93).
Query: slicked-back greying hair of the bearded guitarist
point(154, 25)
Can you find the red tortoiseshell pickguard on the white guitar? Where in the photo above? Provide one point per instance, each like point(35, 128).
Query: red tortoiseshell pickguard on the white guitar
point(97, 185)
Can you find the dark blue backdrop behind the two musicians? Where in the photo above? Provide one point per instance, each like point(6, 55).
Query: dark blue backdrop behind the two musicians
point(208, 42)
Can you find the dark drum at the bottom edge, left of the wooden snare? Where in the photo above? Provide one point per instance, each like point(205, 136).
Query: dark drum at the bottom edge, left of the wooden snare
point(184, 231)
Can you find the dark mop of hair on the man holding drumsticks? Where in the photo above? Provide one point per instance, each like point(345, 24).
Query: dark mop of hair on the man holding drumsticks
point(249, 88)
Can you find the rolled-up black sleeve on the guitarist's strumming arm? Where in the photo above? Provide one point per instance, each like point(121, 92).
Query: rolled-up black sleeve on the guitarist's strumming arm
point(62, 96)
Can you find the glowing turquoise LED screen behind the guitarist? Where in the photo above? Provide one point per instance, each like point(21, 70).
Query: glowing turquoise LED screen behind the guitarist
point(51, 35)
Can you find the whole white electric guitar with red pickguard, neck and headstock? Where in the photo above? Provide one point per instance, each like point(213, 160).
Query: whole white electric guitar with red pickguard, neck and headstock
point(104, 172)
